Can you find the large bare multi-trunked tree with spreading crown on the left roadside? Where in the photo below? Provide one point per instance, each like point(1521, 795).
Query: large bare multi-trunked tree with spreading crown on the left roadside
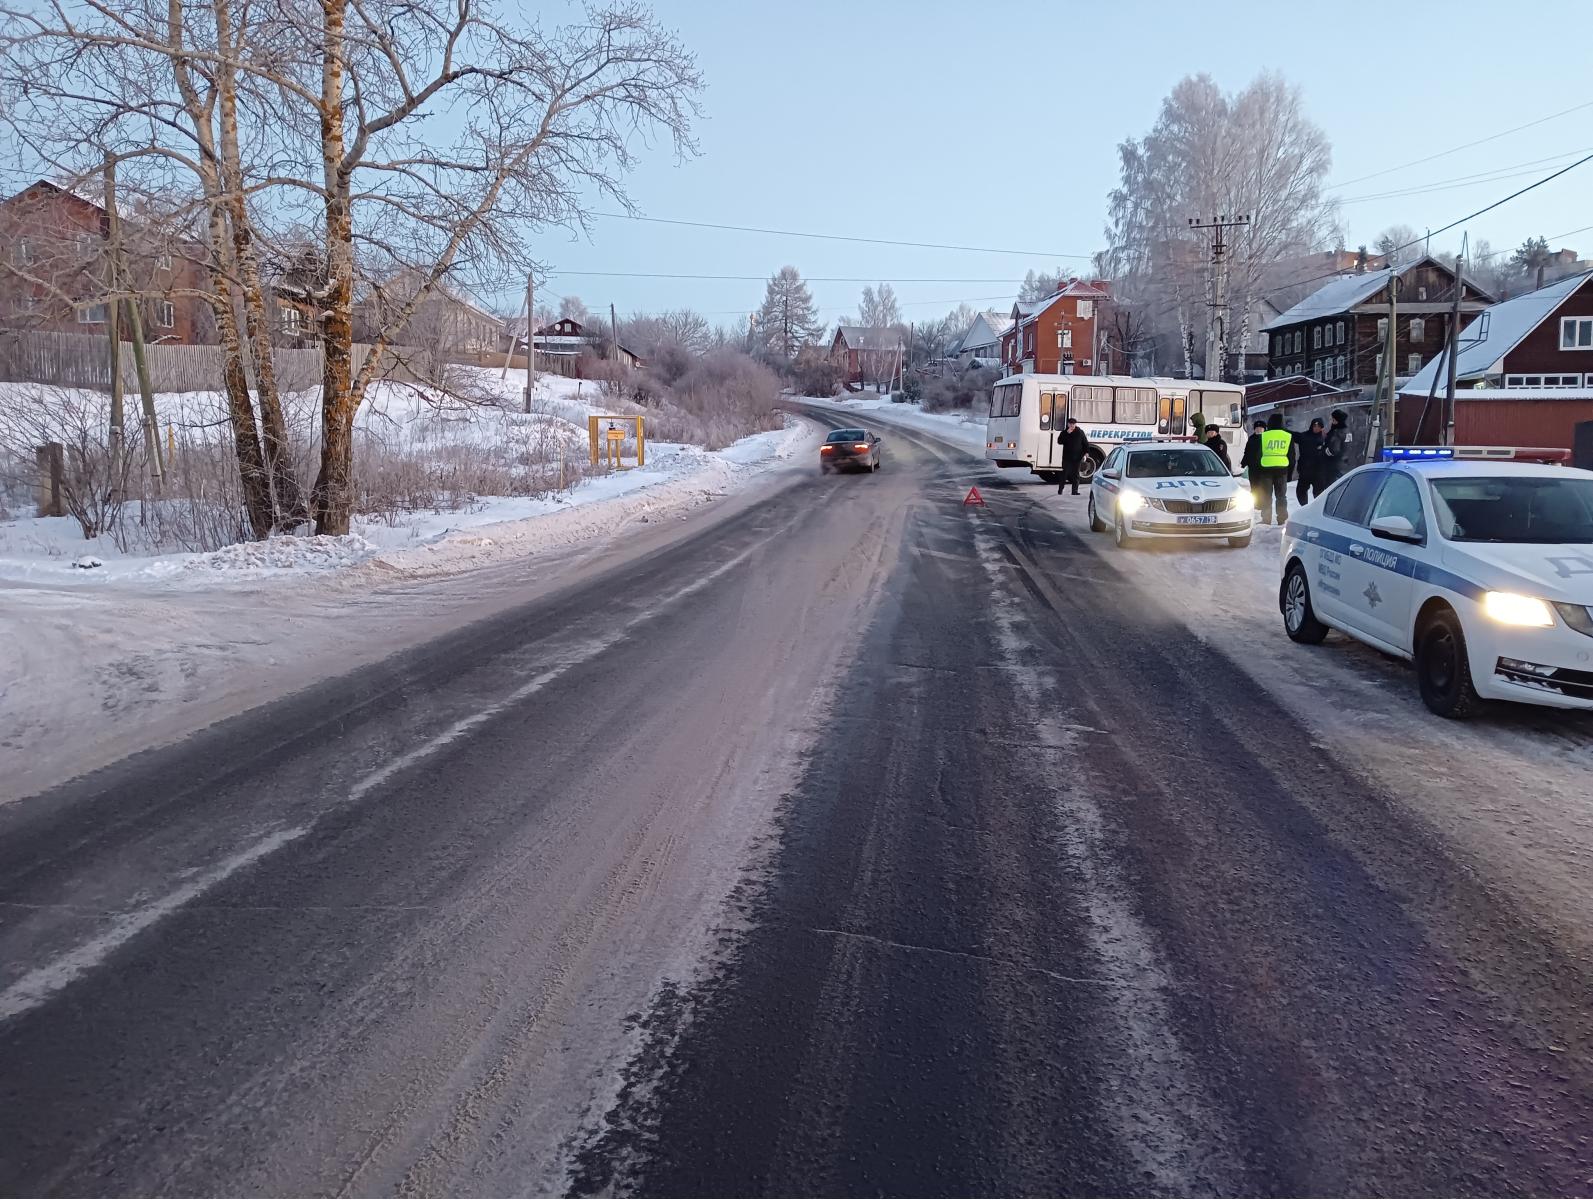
point(418, 138)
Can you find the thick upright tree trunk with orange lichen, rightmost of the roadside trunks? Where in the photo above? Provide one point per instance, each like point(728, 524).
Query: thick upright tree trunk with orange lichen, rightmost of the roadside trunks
point(332, 501)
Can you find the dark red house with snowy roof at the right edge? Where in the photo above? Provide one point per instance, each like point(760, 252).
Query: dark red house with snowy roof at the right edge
point(1524, 375)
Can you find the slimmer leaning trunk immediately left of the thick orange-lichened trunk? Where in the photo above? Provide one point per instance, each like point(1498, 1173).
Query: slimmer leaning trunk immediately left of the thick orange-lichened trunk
point(291, 509)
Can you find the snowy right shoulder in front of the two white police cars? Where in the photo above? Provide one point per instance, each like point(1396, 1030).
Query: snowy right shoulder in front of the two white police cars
point(1511, 786)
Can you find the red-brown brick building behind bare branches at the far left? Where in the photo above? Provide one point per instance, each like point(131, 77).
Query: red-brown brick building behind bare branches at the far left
point(53, 270)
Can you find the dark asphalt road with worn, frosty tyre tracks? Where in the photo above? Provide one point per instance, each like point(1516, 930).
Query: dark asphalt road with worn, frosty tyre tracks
point(858, 844)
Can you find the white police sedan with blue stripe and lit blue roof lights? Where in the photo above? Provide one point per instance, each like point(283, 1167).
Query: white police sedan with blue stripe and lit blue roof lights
point(1479, 571)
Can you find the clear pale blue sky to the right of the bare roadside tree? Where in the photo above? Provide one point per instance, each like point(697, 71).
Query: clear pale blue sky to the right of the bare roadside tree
point(896, 120)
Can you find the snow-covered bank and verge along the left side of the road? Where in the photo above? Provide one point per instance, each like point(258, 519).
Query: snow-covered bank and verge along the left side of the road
point(149, 645)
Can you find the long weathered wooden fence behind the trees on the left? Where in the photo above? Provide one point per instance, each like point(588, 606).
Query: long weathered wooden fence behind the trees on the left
point(84, 361)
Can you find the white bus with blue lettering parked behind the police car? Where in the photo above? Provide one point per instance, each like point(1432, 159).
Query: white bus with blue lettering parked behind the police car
point(1030, 414)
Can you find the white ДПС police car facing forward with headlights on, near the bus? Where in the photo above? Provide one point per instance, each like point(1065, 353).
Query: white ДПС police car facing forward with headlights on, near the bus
point(1170, 490)
